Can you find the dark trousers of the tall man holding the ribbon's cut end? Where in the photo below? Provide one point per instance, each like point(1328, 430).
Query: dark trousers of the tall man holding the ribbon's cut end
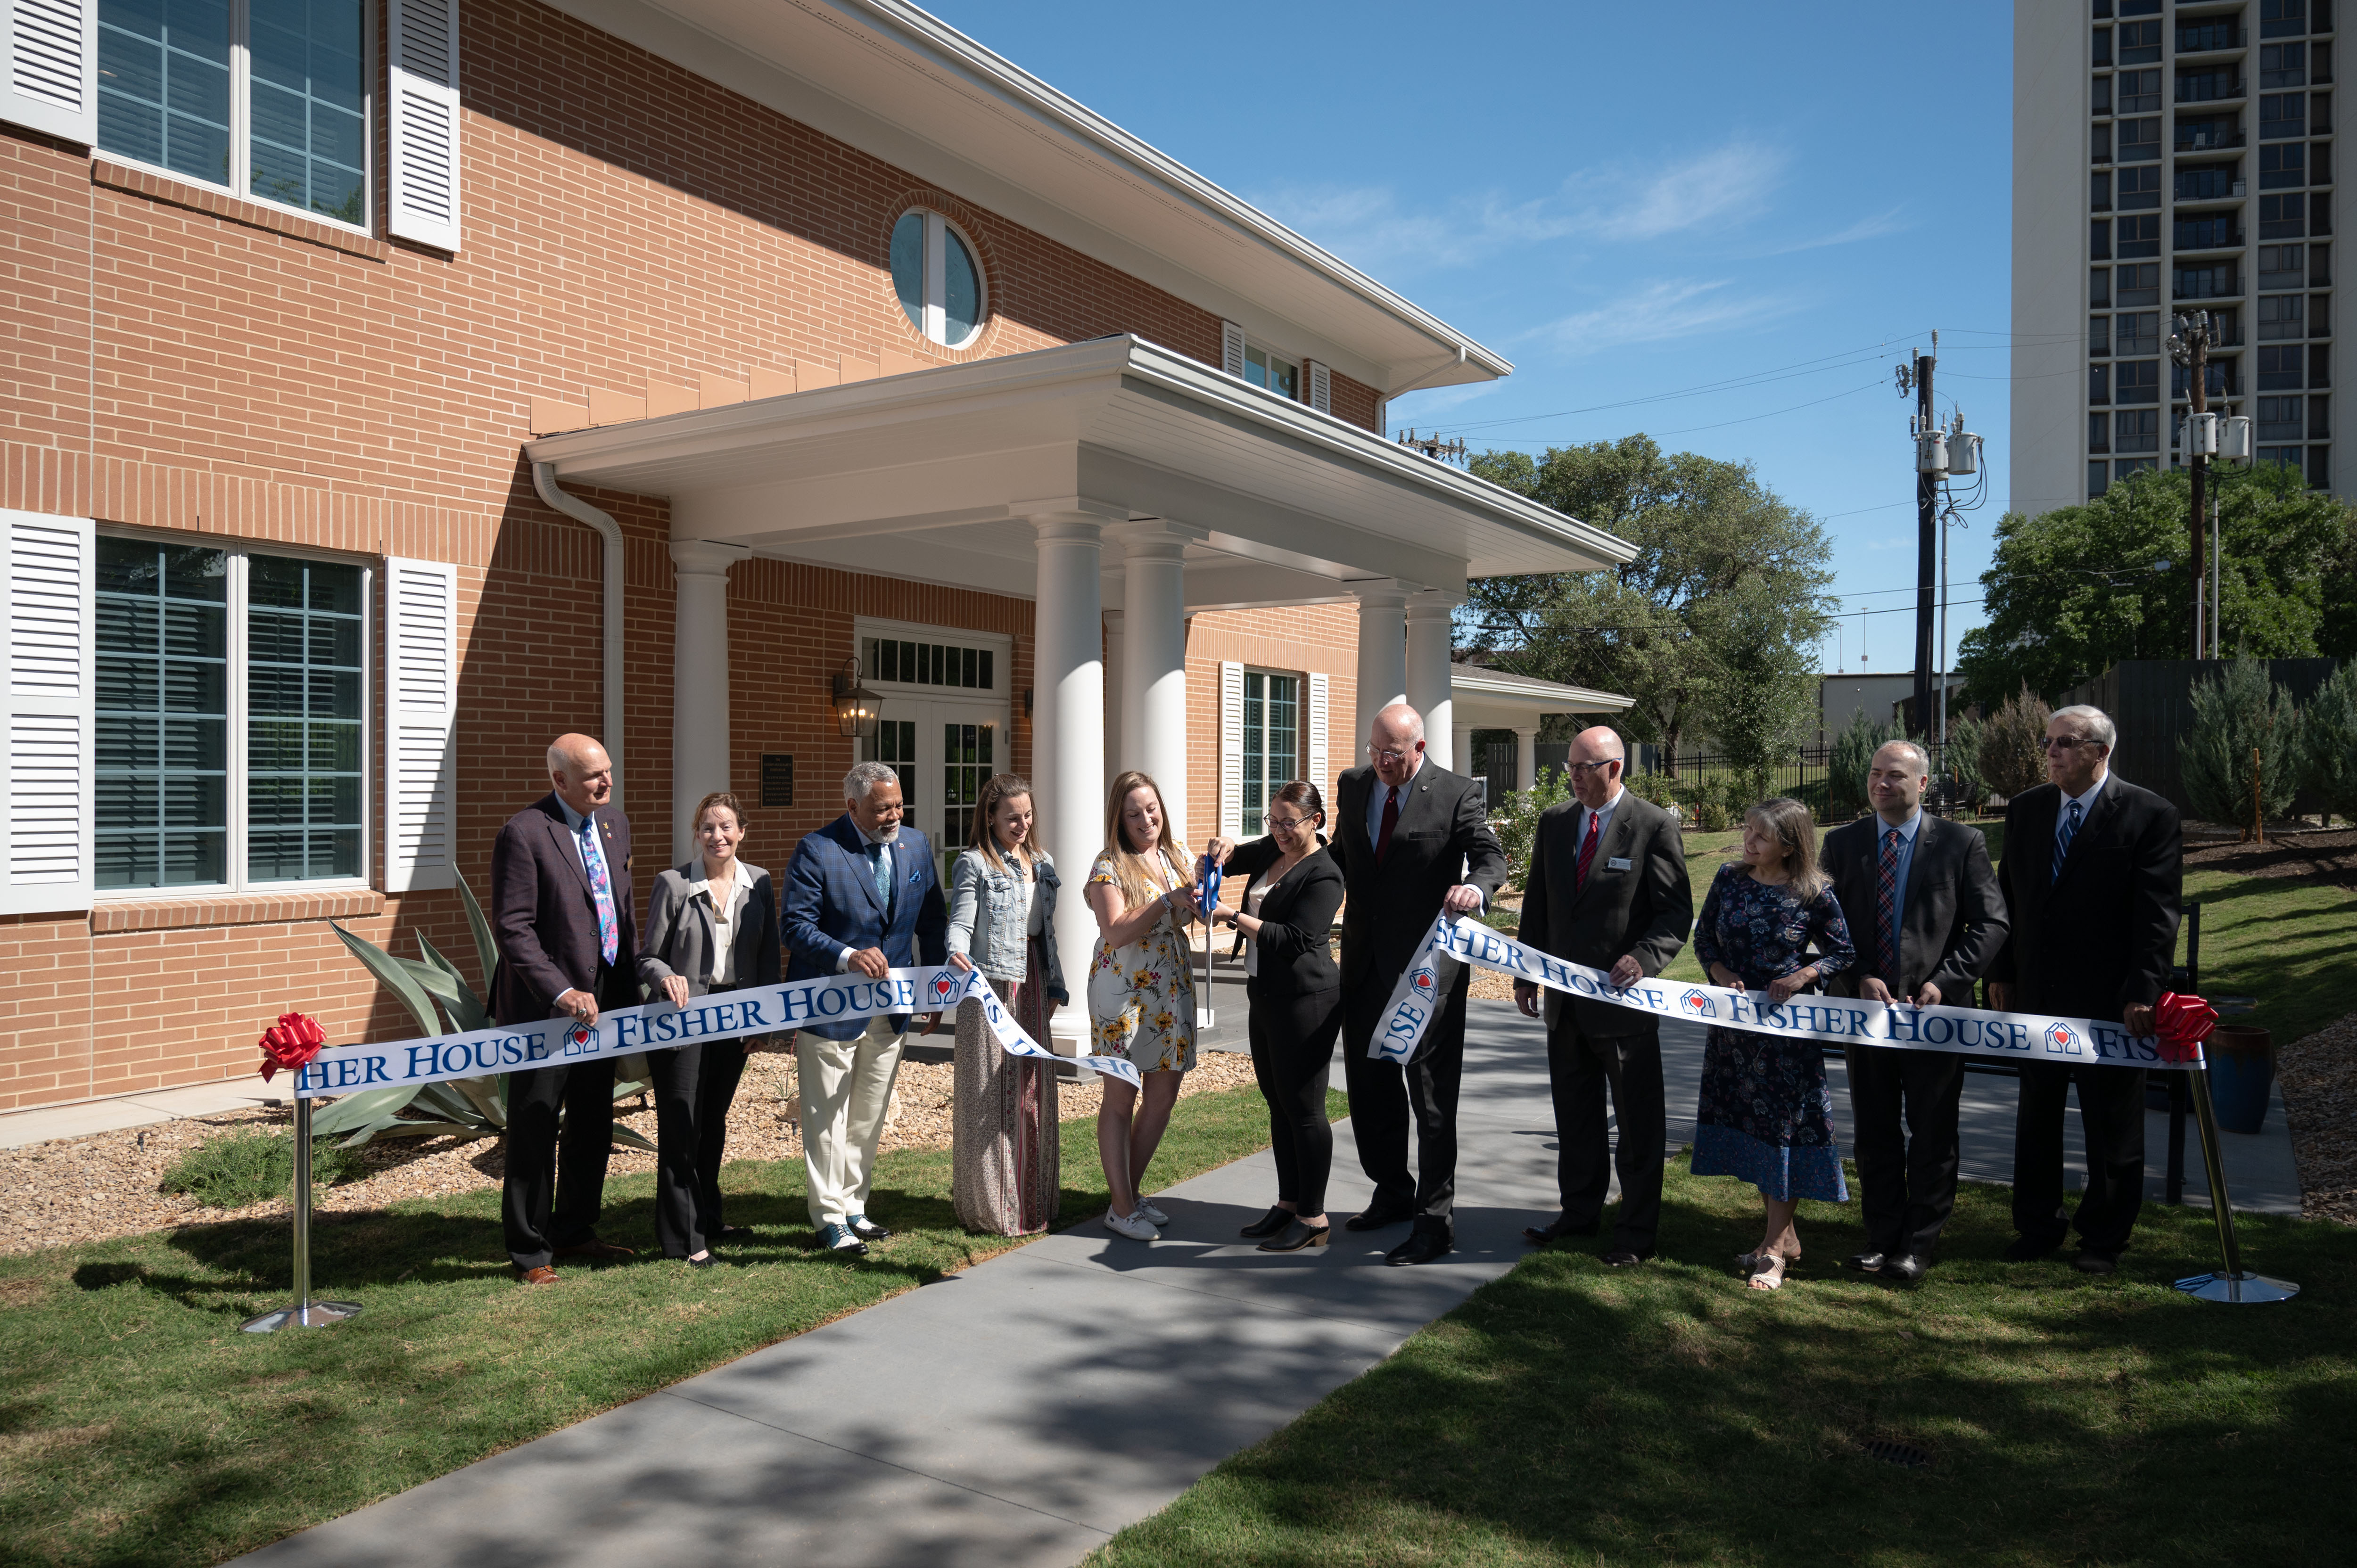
point(1387, 1098)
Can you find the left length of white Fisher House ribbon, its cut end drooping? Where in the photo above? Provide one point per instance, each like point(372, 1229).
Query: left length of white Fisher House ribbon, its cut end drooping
point(659, 1027)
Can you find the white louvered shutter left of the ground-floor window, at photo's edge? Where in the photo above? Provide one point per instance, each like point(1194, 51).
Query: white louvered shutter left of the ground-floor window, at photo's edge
point(46, 704)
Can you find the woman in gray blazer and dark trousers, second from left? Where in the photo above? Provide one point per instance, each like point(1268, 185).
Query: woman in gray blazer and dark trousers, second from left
point(711, 925)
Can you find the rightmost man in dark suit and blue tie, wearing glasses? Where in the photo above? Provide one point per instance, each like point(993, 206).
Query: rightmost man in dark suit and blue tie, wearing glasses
point(2092, 876)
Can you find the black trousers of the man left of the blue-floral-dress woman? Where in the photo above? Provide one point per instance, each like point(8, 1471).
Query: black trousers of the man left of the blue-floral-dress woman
point(1580, 1069)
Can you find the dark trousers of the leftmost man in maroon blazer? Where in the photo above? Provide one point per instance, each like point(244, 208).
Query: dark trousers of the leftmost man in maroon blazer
point(541, 1168)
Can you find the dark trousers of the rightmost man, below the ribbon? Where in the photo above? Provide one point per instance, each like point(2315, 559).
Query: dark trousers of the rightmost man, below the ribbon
point(2113, 1119)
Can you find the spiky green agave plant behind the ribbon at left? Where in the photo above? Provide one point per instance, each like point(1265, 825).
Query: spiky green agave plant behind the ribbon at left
point(442, 1001)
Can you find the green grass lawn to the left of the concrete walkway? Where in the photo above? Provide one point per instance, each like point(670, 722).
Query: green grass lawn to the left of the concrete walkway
point(138, 1425)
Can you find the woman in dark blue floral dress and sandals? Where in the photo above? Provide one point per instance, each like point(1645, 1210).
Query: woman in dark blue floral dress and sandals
point(1764, 1112)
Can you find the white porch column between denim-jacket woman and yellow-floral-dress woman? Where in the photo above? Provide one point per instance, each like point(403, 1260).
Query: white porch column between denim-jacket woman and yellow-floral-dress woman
point(1069, 734)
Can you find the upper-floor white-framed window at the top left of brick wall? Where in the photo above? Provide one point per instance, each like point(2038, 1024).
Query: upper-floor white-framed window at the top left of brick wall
point(263, 98)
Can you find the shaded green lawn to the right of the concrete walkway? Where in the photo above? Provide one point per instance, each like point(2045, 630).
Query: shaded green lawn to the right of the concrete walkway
point(1670, 1416)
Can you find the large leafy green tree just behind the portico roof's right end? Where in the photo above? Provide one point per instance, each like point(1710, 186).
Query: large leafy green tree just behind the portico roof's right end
point(1703, 628)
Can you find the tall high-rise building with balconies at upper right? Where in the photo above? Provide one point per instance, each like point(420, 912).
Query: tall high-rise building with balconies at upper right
point(2170, 157)
